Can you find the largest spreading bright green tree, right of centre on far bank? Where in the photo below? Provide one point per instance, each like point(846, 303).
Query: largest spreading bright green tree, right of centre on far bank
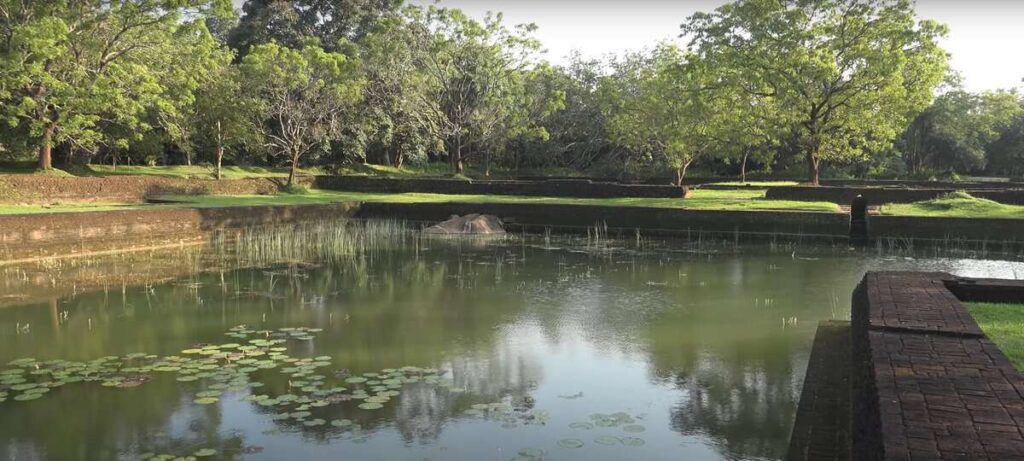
point(846, 75)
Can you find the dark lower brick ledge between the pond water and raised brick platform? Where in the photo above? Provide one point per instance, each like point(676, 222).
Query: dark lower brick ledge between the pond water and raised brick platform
point(822, 432)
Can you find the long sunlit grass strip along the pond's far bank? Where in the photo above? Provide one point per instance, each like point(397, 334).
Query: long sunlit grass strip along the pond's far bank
point(699, 200)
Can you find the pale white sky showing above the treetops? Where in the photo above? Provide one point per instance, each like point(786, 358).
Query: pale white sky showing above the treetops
point(987, 37)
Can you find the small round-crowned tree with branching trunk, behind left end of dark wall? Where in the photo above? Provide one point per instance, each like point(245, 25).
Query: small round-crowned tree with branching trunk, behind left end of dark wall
point(303, 96)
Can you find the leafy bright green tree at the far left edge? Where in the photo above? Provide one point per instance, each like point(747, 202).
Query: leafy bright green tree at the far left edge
point(69, 68)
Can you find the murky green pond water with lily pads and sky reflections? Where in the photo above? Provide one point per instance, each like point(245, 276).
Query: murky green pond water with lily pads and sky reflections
point(516, 349)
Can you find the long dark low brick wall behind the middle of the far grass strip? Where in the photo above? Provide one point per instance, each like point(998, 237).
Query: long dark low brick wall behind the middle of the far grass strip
point(552, 188)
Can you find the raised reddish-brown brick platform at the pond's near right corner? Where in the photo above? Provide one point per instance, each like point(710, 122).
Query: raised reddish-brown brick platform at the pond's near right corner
point(927, 384)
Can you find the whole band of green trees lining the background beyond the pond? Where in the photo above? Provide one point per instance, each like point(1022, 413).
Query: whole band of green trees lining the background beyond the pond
point(761, 86)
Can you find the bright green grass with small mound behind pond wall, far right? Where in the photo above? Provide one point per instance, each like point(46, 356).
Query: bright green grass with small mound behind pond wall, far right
point(957, 204)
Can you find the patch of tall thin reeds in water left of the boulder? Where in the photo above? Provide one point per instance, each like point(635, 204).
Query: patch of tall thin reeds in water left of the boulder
point(315, 241)
